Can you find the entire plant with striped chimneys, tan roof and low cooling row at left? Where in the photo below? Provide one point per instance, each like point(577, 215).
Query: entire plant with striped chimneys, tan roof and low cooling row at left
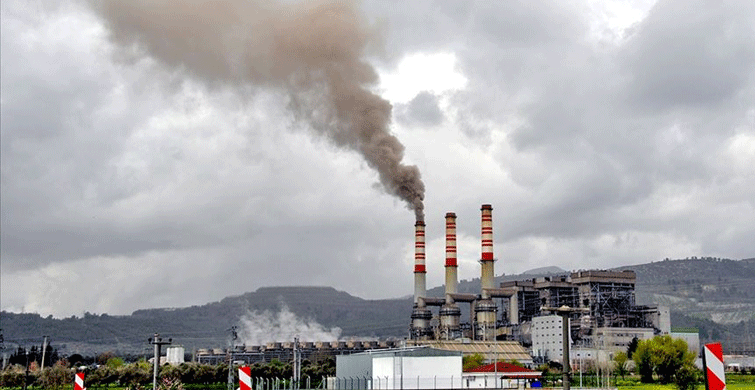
point(515, 320)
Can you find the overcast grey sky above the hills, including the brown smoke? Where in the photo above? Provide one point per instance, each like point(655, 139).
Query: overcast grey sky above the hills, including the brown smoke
point(163, 156)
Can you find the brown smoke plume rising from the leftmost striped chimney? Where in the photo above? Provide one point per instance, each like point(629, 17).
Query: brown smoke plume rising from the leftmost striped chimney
point(313, 50)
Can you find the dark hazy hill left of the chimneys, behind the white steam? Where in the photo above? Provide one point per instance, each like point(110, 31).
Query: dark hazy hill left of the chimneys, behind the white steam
point(207, 325)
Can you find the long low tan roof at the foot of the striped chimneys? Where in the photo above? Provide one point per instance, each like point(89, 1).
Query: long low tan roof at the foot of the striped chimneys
point(490, 350)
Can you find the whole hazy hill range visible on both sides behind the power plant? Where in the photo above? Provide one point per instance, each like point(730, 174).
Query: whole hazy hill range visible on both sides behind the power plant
point(710, 294)
